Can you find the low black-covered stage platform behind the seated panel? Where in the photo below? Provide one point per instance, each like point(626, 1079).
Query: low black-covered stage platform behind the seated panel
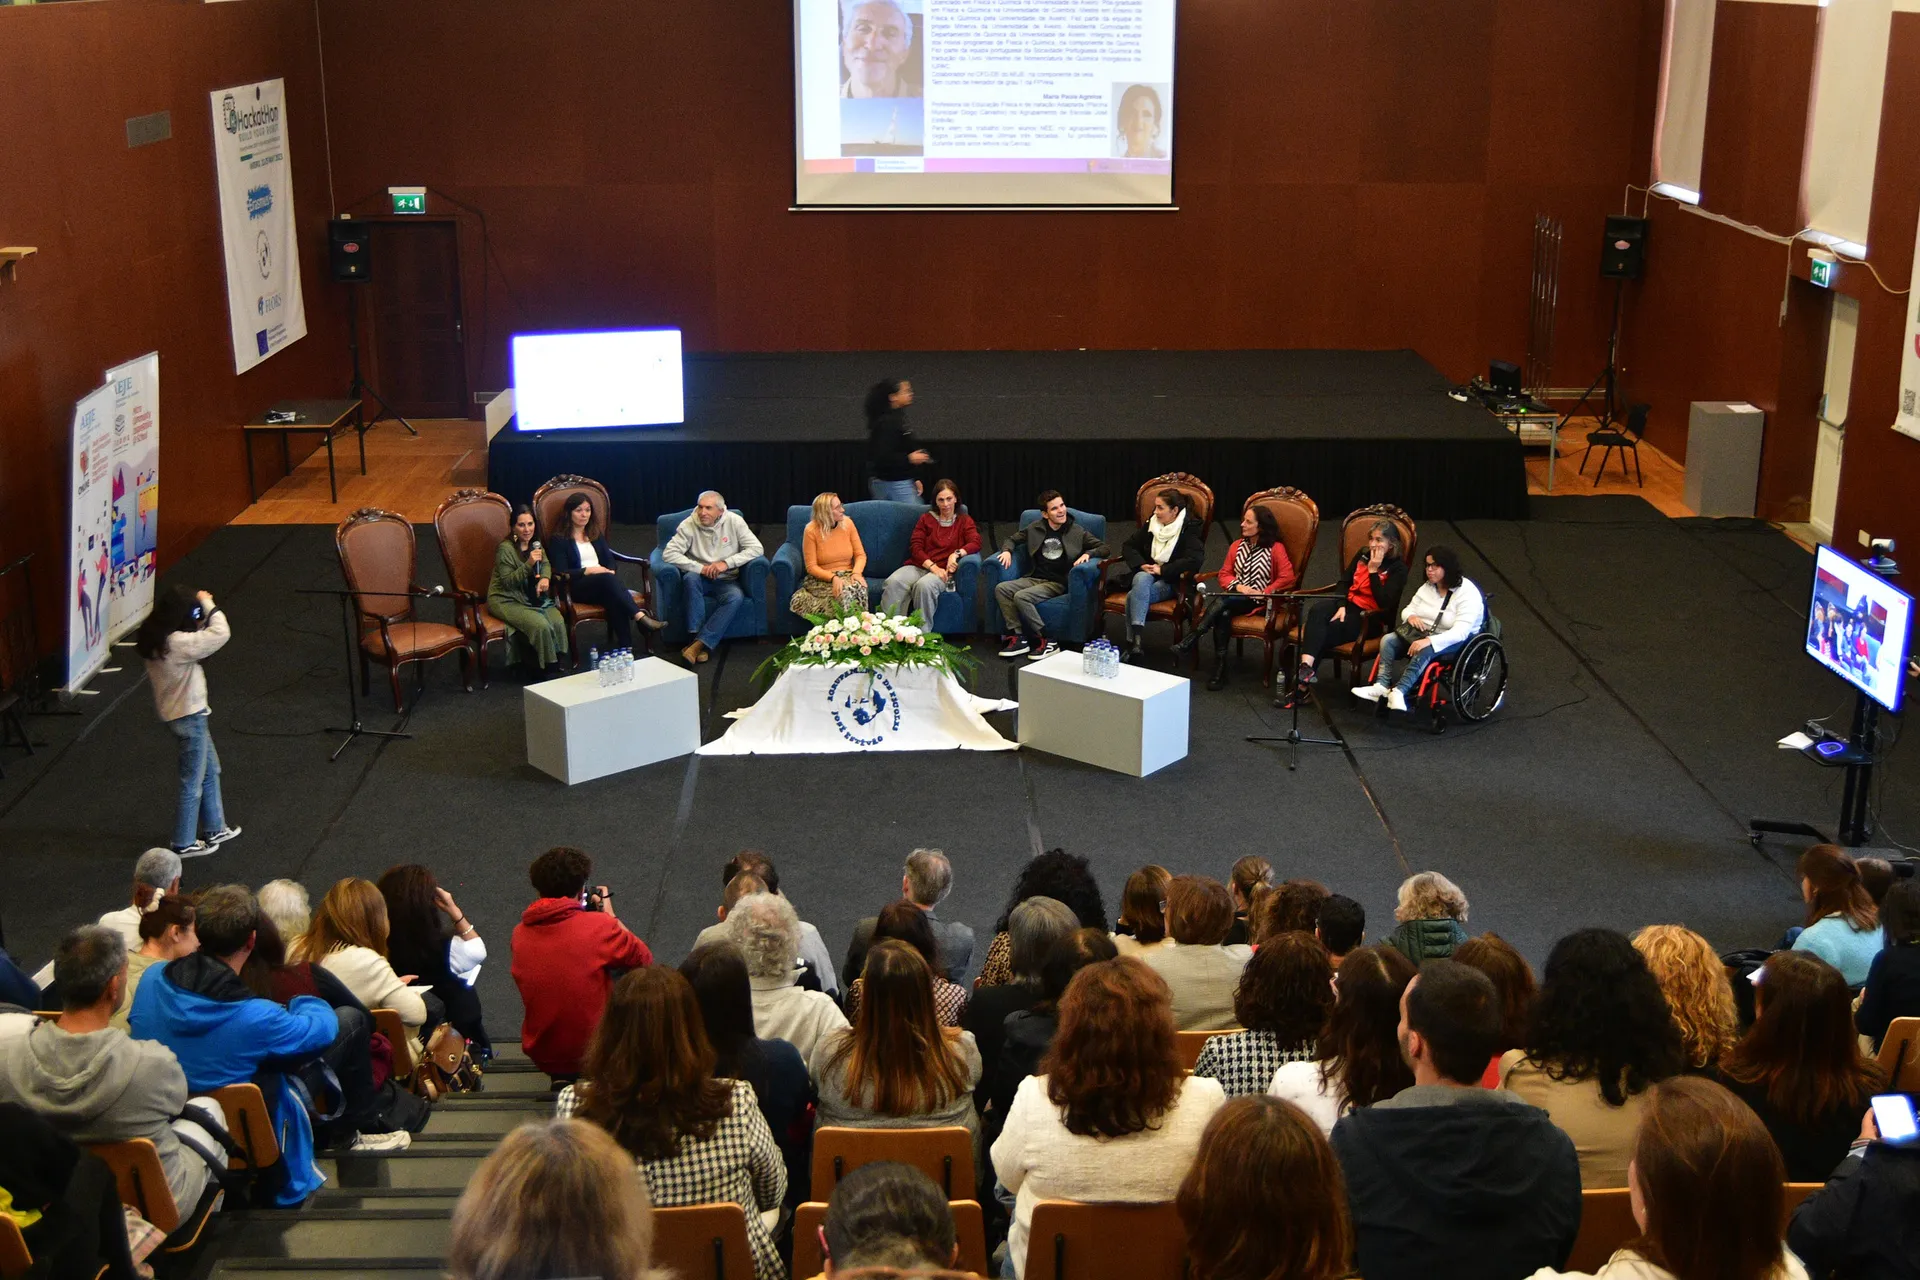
point(773, 431)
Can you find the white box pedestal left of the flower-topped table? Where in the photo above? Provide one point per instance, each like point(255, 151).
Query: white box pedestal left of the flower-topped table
point(579, 732)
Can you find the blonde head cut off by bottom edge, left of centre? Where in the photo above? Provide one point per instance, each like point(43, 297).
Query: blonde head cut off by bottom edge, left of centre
point(554, 1200)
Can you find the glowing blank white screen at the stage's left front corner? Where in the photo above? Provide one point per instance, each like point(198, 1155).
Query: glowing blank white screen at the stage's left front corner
point(565, 383)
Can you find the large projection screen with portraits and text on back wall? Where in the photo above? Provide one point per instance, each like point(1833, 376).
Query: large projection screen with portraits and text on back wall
point(984, 103)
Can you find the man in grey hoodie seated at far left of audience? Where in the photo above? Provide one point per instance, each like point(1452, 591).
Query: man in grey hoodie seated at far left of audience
point(93, 1081)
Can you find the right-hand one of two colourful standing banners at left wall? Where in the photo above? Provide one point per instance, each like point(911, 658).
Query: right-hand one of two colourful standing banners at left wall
point(135, 492)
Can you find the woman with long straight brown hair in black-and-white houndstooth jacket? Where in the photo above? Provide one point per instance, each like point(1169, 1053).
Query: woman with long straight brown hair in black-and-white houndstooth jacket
point(650, 1081)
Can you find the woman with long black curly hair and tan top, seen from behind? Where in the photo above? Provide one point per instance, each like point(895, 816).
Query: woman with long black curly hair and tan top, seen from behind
point(1600, 1035)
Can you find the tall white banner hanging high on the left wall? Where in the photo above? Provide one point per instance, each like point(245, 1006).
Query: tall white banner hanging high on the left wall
point(256, 183)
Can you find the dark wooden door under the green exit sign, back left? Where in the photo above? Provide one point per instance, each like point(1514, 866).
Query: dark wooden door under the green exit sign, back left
point(420, 346)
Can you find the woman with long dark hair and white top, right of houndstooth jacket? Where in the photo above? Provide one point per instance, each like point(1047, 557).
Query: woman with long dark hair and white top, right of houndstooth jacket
point(1358, 1055)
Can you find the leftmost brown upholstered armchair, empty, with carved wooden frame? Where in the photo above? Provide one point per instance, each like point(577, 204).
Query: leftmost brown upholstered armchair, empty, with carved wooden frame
point(377, 557)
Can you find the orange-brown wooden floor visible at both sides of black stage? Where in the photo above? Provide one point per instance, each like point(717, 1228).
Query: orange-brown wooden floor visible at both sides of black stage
point(416, 475)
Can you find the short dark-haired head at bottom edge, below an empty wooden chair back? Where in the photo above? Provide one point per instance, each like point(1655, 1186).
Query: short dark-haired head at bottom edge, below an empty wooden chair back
point(888, 1216)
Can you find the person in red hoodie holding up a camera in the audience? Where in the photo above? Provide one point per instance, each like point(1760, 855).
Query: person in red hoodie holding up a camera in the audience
point(567, 953)
